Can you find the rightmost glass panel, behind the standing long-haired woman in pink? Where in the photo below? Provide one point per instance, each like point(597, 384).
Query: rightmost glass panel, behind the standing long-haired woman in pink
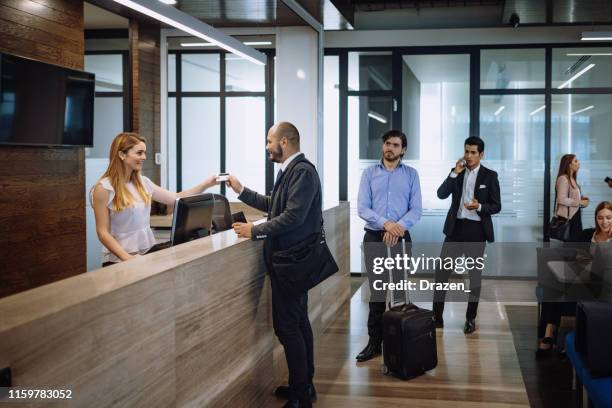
point(581, 119)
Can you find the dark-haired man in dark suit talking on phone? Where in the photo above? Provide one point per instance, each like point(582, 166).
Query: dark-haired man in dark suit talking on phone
point(476, 196)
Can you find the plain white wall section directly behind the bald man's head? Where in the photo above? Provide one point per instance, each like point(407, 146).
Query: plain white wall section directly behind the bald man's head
point(297, 82)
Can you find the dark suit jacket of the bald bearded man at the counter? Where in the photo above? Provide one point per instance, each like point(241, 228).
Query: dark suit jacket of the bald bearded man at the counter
point(294, 208)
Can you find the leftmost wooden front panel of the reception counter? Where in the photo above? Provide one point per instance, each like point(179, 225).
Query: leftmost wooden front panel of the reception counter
point(116, 349)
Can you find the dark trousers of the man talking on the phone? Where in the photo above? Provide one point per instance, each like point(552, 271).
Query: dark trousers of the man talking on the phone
point(472, 234)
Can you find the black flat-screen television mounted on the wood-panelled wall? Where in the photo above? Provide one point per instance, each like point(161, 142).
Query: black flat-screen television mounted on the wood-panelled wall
point(44, 105)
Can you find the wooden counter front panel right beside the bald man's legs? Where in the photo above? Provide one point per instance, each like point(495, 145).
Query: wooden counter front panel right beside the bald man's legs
point(224, 336)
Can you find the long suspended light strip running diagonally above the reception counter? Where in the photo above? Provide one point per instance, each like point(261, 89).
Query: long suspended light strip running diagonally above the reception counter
point(193, 26)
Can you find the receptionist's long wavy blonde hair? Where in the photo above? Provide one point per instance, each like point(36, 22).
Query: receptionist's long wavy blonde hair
point(116, 172)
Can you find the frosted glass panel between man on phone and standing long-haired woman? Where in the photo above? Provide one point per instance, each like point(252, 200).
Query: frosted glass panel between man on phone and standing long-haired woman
point(511, 117)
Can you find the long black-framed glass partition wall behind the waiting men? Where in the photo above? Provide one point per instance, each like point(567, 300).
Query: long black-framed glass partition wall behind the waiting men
point(530, 103)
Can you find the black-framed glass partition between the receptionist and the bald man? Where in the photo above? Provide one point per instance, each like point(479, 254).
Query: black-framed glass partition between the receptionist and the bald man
point(219, 107)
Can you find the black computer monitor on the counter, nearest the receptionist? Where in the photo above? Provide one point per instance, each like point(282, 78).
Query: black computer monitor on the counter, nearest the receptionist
point(192, 218)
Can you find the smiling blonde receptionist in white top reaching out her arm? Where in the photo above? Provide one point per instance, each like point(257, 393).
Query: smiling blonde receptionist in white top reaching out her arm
point(121, 200)
